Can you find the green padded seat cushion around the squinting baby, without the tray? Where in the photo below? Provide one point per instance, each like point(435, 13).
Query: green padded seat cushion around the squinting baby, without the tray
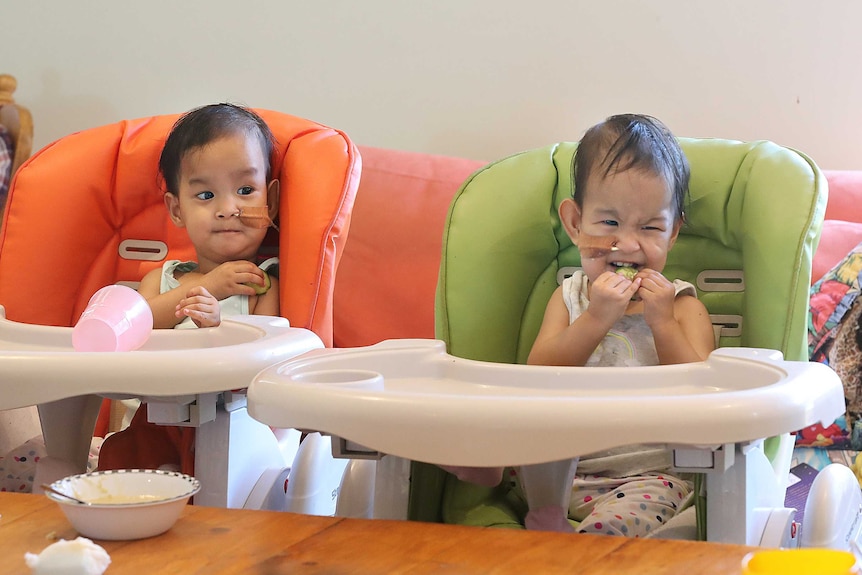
point(752, 225)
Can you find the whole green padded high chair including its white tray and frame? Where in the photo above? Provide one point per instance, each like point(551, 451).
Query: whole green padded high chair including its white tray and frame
point(753, 223)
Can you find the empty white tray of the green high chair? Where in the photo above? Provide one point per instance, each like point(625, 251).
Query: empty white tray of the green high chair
point(411, 399)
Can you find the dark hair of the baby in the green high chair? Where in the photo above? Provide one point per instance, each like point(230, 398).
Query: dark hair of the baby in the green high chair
point(631, 141)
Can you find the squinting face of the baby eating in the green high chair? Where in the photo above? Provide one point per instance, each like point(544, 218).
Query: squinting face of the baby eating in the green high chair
point(631, 210)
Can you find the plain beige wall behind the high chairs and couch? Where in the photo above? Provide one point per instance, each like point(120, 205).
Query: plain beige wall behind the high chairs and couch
point(479, 79)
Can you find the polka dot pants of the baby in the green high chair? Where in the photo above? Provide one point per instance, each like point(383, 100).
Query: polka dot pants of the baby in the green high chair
point(631, 506)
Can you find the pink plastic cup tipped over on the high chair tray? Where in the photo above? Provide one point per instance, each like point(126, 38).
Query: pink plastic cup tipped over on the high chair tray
point(117, 318)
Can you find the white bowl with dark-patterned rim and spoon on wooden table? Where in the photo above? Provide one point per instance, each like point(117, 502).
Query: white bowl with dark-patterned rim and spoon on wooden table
point(126, 503)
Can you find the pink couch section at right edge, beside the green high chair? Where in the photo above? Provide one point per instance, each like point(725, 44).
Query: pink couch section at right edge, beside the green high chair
point(842, 228)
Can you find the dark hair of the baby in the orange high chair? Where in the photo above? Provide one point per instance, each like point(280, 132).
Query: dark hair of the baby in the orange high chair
point(197, 128)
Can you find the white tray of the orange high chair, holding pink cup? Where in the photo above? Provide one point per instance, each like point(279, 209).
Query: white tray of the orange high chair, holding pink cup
point(38, 363)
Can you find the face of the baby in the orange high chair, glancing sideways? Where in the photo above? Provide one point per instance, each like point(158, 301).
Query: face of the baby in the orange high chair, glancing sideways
point(217, 182)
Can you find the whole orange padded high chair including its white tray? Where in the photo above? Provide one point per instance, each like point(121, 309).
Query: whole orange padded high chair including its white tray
point(87, 211)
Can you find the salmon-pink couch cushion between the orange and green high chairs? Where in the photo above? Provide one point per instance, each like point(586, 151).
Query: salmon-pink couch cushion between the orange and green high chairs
point(388, 275)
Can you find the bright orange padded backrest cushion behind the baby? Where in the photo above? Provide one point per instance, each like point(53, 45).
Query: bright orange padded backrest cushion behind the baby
point(77, 202)
